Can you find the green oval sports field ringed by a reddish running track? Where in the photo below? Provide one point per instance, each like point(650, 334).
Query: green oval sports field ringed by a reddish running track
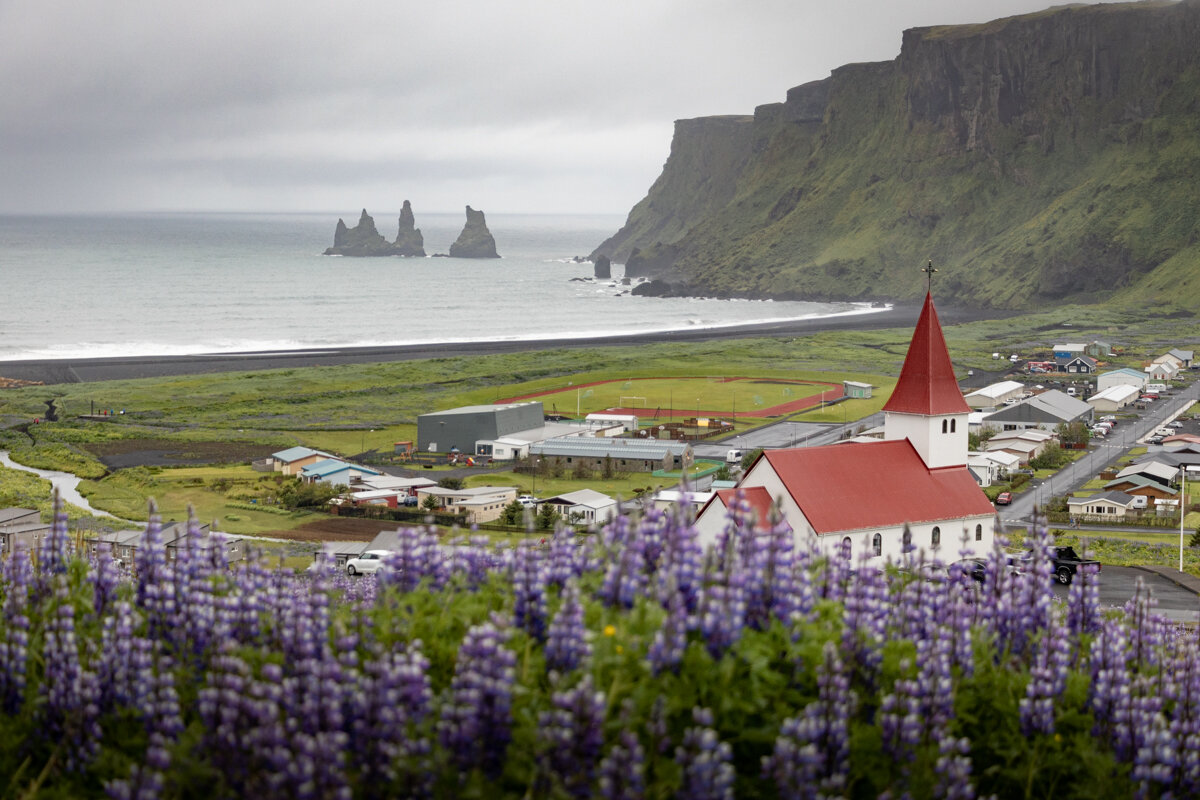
point(735, 396)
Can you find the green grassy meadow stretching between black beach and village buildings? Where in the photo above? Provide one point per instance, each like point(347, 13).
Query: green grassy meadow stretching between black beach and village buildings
point(357, 408)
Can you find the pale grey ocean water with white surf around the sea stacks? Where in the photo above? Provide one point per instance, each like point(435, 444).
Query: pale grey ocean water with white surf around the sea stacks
point(185, 284)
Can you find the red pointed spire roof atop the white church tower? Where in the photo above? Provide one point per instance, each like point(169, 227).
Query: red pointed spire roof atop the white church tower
point(927, 382)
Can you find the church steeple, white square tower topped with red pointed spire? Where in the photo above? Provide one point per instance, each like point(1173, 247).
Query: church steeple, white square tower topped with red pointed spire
point(927, 406)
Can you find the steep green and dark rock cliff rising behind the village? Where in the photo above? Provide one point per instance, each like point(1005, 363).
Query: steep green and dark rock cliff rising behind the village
point(1040, 158)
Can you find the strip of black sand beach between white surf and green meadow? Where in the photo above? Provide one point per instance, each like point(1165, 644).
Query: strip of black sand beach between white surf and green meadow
point(64, 371)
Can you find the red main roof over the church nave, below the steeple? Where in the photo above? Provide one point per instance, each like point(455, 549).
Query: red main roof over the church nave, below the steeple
point(875, 485)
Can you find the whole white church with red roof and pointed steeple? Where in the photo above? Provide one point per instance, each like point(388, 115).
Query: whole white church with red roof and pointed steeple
point(865, 495)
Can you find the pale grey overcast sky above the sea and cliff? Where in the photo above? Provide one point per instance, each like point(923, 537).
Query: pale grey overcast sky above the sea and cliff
point(511, 106)
